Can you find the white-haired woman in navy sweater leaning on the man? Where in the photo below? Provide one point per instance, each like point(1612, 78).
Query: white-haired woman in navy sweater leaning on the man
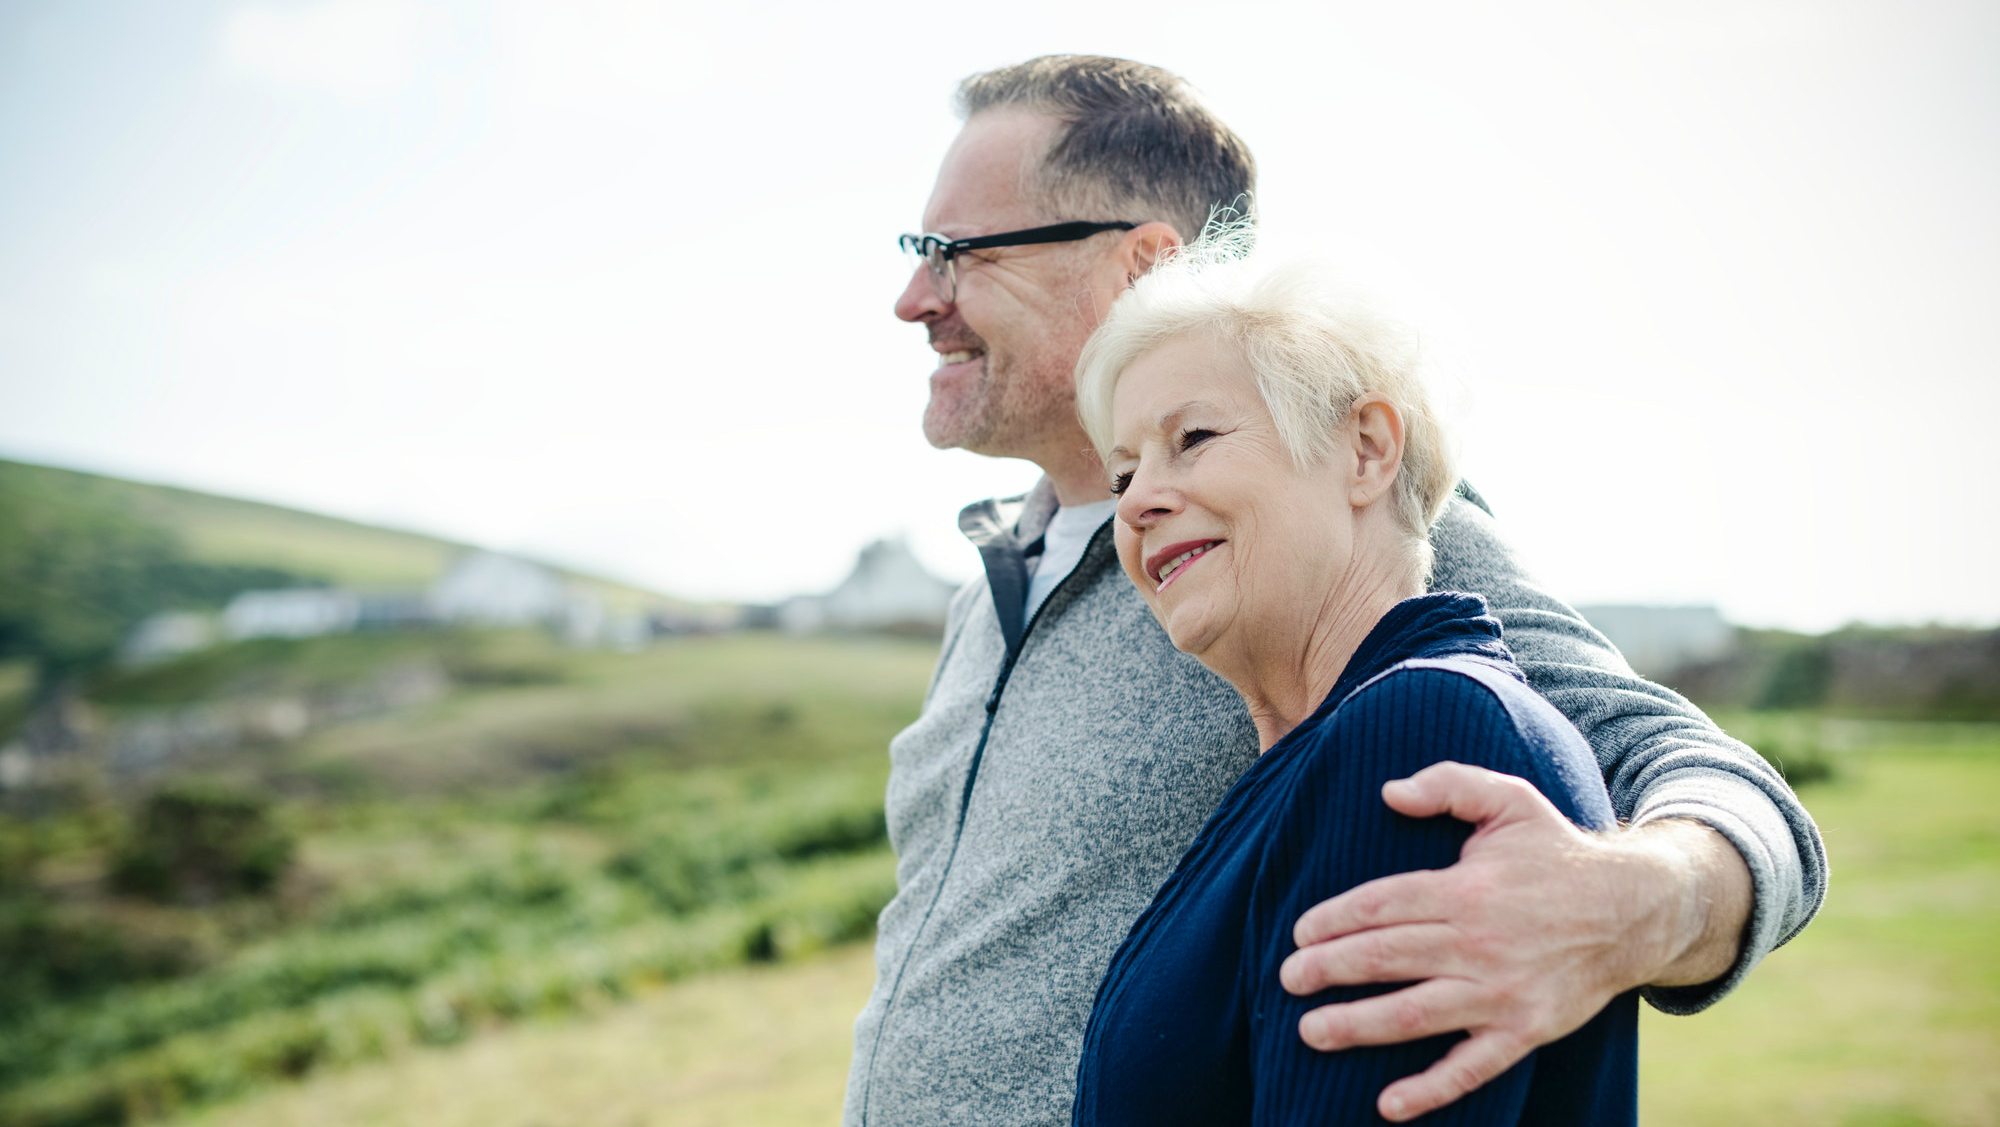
point(1279, 465)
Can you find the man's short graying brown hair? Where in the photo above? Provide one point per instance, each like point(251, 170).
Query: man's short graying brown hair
point(1135, 141)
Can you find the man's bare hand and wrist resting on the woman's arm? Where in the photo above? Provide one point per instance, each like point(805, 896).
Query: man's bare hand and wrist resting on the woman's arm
point(1523, 940)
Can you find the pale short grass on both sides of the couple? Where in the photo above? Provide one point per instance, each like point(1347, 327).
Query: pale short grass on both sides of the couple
point(1885, 1014)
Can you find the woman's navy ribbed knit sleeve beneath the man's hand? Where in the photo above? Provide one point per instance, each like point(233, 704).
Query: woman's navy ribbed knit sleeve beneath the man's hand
point(1339, 834)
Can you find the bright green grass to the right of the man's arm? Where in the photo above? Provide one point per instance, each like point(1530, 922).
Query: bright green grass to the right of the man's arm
point(1887, 1010)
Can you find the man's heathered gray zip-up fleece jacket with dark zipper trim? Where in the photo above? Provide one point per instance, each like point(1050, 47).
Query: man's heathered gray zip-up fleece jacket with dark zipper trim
point(1063, 766)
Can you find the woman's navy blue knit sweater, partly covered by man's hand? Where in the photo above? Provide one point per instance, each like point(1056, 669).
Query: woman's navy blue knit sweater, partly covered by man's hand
point(1191, 1022)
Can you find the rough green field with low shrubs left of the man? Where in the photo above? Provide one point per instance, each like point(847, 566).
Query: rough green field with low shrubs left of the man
point(559, 832)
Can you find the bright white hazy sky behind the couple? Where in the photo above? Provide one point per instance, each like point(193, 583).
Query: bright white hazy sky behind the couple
point(1713, 285)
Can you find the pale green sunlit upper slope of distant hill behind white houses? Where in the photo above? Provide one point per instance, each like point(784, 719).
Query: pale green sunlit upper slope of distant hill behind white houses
point(255, 535)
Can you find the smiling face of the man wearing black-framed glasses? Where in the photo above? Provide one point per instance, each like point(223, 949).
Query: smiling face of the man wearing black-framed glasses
point(1009, 341)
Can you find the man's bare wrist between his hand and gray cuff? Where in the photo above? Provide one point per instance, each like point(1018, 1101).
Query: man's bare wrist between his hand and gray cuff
point(1709, 900)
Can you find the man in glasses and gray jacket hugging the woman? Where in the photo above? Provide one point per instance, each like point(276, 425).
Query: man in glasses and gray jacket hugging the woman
point(1067, 752)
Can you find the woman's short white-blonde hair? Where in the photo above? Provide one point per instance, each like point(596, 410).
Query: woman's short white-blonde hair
point(1311, 347)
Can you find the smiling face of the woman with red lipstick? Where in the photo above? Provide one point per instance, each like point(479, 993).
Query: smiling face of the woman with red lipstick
point(1225, 537)
